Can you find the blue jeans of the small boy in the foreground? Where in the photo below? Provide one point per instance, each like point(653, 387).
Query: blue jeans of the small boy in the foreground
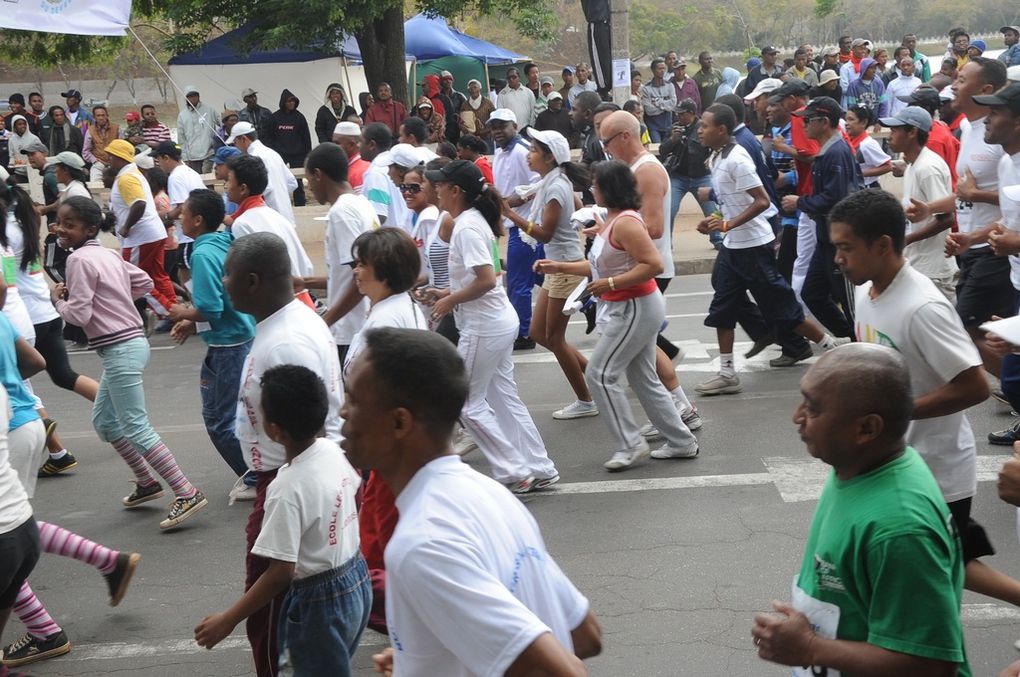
point(323, 618)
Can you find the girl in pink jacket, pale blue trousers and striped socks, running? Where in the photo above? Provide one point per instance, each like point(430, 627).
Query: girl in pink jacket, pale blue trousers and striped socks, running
point(98, 297)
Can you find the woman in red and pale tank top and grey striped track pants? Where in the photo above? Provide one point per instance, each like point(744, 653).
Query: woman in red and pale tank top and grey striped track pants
point(624, 263)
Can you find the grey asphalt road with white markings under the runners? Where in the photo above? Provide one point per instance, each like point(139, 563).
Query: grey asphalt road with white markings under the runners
point(676, 556)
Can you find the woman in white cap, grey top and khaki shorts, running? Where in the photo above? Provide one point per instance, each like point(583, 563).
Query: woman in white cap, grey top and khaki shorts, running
point(550, 224)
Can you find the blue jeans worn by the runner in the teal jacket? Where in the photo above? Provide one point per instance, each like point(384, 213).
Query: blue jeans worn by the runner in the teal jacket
point(220, 384)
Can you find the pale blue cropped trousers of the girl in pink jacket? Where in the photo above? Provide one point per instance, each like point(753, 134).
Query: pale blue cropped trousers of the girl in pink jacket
point(120, 409)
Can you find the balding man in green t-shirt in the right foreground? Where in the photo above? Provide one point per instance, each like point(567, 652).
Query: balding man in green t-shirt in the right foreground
point(880, 590)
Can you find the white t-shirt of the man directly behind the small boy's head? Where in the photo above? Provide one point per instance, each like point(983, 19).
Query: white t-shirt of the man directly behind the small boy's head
point(294, 335)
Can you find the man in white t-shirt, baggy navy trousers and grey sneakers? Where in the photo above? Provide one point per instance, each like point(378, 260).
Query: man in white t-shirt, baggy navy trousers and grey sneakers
point(747, 261)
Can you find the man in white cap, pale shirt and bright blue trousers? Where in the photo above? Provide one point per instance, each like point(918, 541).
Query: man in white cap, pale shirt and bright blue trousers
point(511, 171)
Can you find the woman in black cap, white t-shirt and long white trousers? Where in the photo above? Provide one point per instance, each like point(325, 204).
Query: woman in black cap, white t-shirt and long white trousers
point(494, 413)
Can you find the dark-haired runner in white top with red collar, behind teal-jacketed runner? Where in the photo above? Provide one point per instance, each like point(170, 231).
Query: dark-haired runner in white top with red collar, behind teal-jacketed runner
point(246, 181)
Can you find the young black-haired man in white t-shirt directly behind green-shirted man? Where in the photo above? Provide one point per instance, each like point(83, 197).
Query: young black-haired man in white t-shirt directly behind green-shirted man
point(901, 308)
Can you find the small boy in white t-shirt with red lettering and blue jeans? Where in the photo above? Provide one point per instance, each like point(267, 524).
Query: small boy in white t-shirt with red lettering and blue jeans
point(310, 536)
